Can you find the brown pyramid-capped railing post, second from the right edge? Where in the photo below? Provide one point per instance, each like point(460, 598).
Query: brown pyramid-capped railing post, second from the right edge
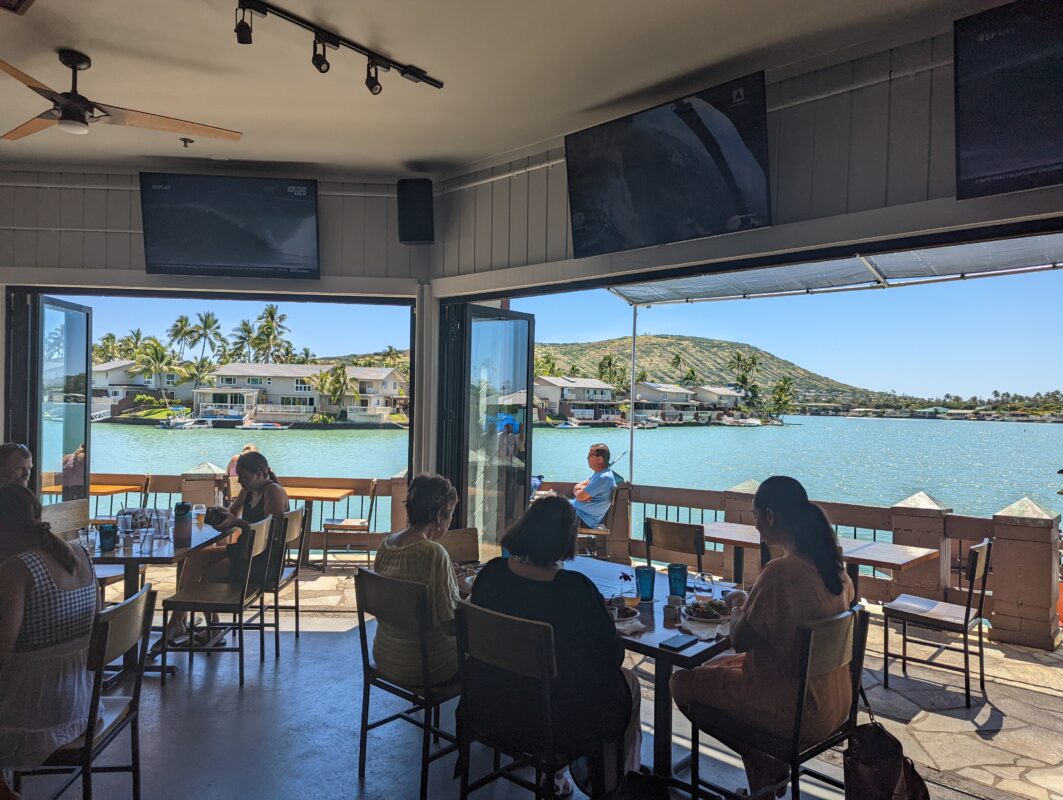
point(920, 521)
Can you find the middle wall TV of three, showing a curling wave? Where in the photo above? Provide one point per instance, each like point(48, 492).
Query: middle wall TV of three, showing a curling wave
point(685, 169)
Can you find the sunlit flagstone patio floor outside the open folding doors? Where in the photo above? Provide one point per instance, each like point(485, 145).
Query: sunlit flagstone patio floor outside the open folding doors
point(1011, 746)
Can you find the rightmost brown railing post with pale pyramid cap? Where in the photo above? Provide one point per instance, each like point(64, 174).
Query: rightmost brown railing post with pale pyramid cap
point(1025, 581)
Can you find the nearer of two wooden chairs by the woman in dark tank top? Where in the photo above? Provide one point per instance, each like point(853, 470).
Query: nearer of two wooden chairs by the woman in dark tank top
point(229, 597)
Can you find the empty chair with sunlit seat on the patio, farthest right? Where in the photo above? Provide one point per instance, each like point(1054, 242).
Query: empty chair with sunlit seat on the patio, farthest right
point(952, 618)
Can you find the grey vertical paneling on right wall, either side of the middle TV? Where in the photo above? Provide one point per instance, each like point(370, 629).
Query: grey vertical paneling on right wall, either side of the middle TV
point(862, 135)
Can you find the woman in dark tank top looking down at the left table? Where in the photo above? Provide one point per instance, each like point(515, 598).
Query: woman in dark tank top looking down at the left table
point(261, 497)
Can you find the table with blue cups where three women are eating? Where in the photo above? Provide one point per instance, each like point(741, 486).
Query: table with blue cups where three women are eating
point(648, 642)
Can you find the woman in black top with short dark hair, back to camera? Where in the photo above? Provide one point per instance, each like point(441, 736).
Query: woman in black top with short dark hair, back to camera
point(594, 700)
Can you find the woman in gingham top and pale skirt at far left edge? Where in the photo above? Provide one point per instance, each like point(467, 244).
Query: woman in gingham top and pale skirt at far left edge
point(48, 602)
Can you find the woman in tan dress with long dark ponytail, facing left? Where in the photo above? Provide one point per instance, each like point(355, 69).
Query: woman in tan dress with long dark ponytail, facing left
point(758, 686)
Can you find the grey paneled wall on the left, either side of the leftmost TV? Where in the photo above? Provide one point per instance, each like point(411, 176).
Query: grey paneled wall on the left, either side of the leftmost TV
point(70, 220)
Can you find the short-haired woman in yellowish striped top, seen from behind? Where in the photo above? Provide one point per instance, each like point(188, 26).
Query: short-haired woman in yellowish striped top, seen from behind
point(416, 555)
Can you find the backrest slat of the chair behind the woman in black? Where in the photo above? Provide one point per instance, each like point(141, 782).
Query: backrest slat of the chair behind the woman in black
point(525, 648)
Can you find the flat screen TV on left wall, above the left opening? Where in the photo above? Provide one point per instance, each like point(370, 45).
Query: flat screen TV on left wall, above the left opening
point(233, 227)
